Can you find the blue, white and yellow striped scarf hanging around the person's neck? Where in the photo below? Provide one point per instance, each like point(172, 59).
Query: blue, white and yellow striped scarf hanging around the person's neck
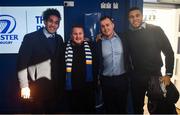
point(69, 62)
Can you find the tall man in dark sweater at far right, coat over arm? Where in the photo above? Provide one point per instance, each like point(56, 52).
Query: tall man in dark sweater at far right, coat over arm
point(146, 42)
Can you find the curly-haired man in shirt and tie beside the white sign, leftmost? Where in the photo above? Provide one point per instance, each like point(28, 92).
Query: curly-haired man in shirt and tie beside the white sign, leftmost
point(40, 64)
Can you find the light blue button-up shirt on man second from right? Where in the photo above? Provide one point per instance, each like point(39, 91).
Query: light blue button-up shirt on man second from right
point(113, 59)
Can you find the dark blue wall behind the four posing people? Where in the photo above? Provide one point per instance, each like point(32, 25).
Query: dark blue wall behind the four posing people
point(9, 101)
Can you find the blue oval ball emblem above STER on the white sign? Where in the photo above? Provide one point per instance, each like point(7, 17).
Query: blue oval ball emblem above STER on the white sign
point(7, 24)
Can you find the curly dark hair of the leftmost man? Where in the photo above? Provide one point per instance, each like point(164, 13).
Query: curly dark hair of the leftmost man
point(49, 12)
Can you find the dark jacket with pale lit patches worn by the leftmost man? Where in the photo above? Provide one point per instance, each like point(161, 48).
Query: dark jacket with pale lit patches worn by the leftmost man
point(43, 69)
